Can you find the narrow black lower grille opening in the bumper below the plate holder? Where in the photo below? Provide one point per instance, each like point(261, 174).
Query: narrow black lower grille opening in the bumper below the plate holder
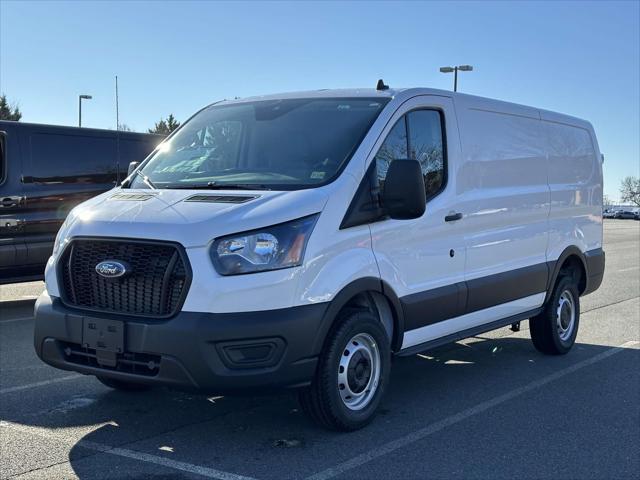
point(128, 362)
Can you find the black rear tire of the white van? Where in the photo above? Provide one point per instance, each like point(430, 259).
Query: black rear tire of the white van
point(545, 328)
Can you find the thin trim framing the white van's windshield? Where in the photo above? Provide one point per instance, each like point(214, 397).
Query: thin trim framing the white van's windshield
point(384, 101)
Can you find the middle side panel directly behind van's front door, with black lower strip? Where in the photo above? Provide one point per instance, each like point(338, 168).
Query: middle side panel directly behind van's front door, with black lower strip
point(502, 184)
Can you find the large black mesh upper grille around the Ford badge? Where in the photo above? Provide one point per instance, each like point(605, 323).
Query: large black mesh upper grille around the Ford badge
point(155, 286)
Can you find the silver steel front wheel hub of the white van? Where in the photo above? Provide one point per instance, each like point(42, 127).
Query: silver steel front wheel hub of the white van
point(359, 371)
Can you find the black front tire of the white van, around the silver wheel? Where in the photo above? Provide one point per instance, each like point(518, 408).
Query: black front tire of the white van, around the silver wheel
point(322, 401)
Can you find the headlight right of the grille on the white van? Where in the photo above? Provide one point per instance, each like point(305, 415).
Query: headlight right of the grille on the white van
point(272, 248)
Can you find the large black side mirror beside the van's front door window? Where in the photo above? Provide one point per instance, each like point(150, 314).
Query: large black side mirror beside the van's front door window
point(403, 194)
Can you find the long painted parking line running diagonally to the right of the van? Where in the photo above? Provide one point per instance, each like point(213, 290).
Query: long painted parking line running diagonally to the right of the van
point(459, 417)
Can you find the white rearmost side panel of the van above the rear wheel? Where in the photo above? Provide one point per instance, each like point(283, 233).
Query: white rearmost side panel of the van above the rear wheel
point(575, 181)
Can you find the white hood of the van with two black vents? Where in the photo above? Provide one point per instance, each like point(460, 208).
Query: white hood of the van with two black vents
point(190, 217)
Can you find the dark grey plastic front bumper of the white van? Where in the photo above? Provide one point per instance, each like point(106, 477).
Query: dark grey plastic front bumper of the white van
point(214, 353)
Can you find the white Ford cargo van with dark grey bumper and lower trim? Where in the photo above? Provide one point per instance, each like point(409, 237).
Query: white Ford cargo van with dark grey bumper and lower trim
point(300, 240)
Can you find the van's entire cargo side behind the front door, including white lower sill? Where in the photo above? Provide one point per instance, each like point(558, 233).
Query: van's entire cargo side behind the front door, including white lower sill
point(529, 185)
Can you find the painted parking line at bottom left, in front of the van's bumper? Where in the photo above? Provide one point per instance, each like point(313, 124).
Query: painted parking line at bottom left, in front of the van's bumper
point(124, 452)
